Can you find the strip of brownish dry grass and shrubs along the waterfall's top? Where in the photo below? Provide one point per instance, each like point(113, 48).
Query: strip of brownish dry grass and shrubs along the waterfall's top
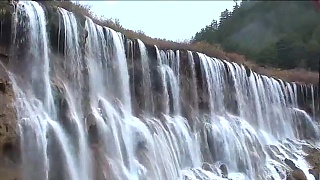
point(302, 76)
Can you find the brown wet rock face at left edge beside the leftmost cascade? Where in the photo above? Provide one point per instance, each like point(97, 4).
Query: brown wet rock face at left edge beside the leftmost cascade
point(9, 138)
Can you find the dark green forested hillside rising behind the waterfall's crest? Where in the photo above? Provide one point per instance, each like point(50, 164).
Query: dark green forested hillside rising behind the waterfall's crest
point(284, 34)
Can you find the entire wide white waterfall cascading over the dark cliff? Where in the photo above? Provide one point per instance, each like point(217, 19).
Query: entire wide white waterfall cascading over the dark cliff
point(200, 115)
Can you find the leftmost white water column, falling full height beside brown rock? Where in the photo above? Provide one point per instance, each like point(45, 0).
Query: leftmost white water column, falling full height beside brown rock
point(35, 104)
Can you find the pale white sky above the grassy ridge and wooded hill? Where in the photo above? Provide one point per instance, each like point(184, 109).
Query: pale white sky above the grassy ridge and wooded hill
point(172, 20)
